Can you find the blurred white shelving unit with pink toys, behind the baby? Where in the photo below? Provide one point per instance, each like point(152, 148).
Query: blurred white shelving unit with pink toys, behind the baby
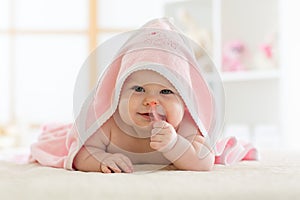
point(252, 96)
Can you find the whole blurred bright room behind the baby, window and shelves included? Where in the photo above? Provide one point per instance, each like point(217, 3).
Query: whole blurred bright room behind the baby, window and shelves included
point(255, 45)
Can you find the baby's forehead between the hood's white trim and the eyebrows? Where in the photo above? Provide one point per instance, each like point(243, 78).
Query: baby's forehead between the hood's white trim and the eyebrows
point(144, 77)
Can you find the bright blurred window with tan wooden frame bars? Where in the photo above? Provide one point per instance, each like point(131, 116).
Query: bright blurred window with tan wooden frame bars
point(43, 44)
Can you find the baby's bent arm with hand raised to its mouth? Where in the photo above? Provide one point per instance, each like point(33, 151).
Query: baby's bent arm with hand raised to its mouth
point(187, 152)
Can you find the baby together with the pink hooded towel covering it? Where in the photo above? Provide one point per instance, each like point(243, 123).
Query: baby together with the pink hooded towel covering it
point(154, 103)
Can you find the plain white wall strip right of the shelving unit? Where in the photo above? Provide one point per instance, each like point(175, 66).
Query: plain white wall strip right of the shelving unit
point(290, 61)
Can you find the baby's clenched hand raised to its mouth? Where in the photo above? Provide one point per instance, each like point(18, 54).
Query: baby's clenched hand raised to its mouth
point(163, 136)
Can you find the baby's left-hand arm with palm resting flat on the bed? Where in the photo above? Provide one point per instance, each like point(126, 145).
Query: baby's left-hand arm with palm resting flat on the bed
point(93, 156)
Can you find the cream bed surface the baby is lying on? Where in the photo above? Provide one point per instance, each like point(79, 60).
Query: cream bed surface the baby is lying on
point(275, 176)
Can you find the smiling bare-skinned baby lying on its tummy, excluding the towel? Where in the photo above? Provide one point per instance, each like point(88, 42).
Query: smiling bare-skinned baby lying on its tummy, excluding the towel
point(146, 128)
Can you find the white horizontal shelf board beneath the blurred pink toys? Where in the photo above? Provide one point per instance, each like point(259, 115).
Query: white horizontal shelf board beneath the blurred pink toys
point(250, 75)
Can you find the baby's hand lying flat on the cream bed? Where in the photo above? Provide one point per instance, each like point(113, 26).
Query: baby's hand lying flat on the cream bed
point(116, 163)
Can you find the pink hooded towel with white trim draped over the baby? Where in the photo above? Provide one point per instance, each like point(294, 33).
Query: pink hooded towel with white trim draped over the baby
point(160, 47)
